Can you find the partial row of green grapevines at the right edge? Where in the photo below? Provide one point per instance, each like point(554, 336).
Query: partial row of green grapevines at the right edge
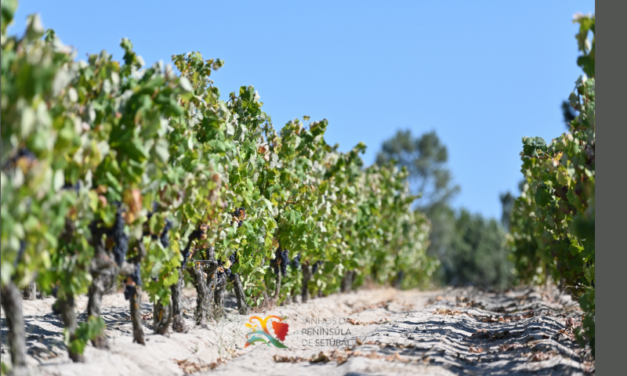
point(553, 220)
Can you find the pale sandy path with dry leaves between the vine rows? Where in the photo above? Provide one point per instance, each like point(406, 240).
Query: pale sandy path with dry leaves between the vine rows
point(368, 332)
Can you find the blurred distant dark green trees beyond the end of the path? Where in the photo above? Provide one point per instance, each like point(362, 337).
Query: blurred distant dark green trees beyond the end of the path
point(470, 248)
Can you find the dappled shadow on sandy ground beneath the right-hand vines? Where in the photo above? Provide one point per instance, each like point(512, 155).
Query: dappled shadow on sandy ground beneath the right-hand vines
point(468, 331)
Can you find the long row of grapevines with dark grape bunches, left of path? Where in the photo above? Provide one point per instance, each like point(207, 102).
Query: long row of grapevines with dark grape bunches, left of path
point(147, 176)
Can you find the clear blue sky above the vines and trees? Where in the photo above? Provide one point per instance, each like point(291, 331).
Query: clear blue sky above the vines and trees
point(483, 74)
